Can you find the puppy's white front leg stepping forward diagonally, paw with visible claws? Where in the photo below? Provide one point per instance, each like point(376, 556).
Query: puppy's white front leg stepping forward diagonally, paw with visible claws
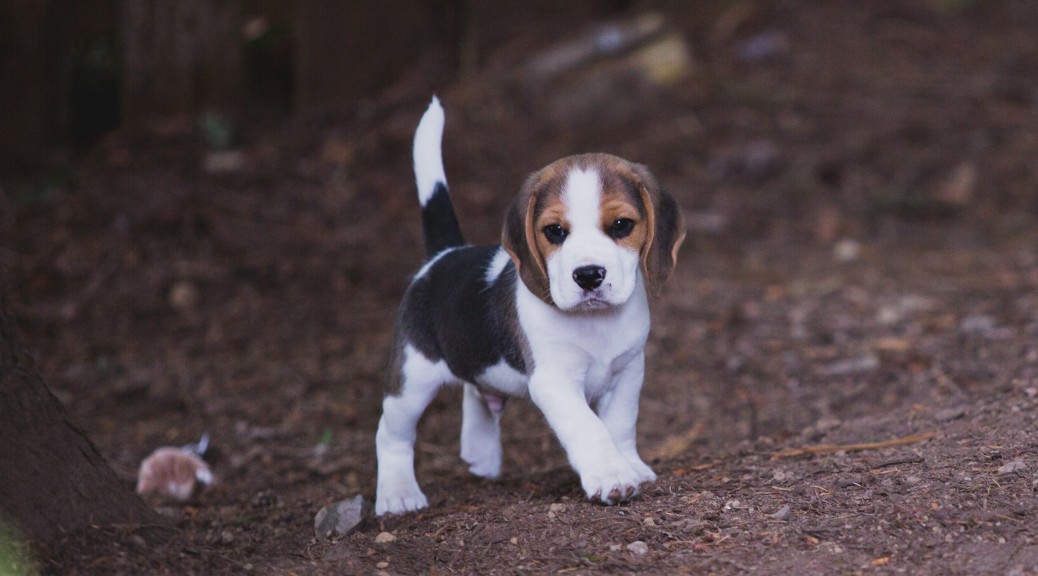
point(606, 476)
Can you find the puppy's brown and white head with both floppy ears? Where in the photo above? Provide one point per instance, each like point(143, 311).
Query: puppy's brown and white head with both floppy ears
point(584, 228)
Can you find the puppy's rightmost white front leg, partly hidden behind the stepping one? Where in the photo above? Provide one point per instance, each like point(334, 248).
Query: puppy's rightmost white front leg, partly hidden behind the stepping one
point(619, 412)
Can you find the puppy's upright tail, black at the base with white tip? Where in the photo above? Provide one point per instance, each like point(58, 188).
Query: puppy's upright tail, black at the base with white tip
point(439, 218)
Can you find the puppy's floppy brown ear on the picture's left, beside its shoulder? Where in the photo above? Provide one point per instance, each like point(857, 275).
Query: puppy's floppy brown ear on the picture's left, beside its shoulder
point(518, 238)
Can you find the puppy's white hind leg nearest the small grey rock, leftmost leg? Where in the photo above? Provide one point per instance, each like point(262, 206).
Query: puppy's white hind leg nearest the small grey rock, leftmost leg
point(398, 489)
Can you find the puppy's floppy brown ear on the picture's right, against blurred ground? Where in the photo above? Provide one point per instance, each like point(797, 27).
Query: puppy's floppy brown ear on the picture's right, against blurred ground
point(667, 231)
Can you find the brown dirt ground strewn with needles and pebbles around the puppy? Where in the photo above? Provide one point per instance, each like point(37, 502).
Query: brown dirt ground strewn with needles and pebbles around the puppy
point(842, 376)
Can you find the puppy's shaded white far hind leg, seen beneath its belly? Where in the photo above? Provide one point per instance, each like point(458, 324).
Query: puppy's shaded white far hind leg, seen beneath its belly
point(481, 434)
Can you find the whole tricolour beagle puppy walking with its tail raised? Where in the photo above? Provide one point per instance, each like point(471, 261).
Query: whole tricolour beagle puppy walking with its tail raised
point(559, 313)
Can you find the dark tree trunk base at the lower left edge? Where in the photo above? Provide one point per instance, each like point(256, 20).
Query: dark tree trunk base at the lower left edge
point(52, 479)
